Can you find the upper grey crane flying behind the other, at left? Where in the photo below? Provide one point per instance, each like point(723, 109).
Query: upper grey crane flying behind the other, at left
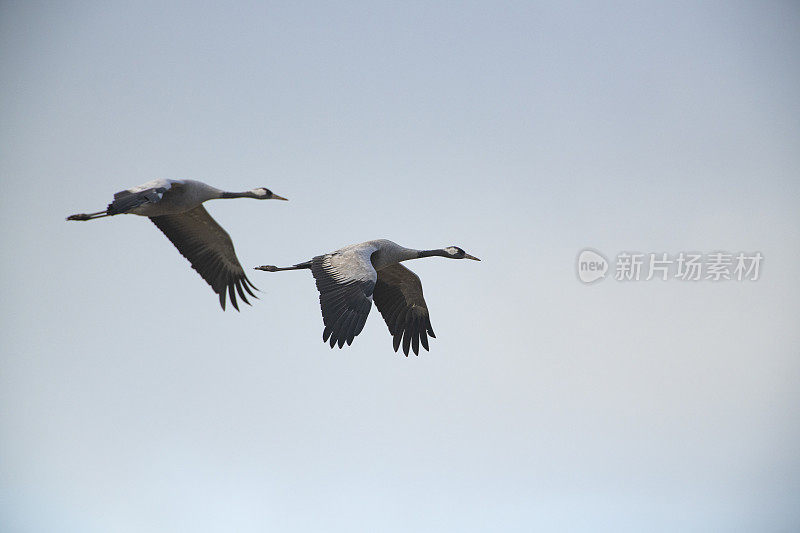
point(176, 208)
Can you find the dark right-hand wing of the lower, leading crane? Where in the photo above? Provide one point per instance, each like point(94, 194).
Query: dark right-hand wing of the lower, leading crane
point(398, 295)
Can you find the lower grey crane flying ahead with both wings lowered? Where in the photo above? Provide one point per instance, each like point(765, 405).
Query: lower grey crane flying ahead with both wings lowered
point(348, 280)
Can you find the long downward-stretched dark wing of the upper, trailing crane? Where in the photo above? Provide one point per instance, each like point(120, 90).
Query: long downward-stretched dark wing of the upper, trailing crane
point(209, 249)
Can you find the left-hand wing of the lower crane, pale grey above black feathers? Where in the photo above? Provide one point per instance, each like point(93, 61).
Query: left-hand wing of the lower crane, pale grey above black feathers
point(345, 281)
